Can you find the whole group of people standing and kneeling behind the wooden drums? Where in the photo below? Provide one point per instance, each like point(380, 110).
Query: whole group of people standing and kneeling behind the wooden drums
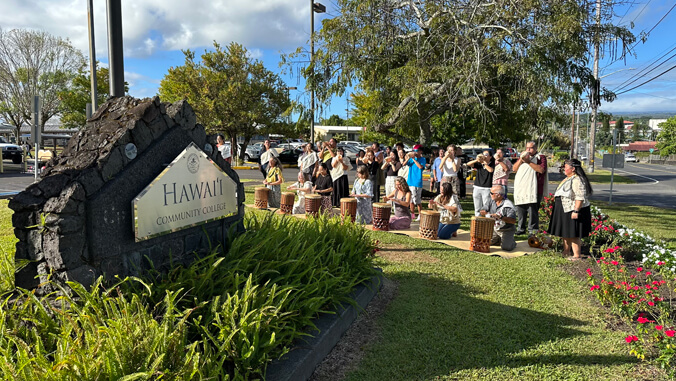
point(324, 172)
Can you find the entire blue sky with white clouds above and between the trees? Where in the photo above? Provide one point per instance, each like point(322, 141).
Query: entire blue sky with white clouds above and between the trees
point(155, 31)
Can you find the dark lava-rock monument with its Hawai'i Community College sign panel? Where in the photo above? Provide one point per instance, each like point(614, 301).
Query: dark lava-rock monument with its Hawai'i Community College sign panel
point(139, 187)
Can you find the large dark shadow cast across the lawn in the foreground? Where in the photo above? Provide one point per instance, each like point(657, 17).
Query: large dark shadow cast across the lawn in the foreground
point(436, 327)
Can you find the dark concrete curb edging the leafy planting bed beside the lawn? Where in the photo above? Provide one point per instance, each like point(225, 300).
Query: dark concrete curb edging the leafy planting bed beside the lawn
point(308, 352)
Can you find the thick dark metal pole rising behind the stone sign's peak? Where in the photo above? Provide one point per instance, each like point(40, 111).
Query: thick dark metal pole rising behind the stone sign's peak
point(115, 52)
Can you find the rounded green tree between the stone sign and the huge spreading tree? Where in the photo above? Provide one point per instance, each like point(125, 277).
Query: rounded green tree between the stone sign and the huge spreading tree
point(230, 92)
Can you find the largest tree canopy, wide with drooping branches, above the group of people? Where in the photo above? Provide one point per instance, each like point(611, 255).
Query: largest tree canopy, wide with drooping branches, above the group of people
point(497, 68)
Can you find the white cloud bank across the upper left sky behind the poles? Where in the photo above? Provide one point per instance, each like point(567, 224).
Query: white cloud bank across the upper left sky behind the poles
point(151, 25)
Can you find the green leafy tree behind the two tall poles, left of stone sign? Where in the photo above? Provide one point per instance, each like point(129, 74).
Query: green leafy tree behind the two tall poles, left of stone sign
point(74, 100)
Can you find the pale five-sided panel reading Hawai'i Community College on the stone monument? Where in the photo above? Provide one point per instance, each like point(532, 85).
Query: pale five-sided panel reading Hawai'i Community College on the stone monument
point(192, 190)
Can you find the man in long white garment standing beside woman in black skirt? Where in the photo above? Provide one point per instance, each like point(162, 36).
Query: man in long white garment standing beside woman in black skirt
point(530, 185)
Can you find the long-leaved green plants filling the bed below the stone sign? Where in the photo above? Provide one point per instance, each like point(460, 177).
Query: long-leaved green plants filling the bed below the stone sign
point(223, 317)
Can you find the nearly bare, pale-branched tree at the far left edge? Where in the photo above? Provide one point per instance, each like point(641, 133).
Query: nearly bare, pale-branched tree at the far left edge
point(34, 63)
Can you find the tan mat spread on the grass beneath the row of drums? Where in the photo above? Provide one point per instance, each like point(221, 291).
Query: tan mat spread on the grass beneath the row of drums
point(459, 242)
